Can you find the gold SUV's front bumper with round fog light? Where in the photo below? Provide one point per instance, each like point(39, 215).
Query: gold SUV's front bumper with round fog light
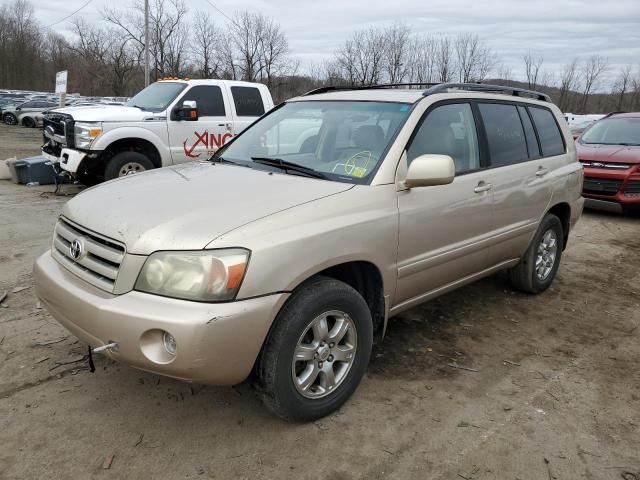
point(217, 343)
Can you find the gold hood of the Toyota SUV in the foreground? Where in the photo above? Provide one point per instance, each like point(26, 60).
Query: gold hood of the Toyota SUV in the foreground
point(188, 206)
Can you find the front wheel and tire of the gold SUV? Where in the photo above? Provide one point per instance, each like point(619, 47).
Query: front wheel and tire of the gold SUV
point(277, 374)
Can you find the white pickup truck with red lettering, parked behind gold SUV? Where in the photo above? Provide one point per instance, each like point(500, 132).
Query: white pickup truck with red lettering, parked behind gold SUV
point(169, 122)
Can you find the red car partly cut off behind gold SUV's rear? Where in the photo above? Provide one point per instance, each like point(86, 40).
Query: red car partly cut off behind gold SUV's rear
point(610, 153)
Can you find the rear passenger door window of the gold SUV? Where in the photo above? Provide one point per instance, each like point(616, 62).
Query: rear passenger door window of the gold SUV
point(505, 135)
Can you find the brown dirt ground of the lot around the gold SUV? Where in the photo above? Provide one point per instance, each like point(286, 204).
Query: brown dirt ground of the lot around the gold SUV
point(554, 391)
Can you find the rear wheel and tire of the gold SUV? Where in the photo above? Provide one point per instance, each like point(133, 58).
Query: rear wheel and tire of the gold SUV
point(529, 277)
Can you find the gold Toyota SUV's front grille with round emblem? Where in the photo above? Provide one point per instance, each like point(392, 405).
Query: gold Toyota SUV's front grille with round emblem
point(99, 258)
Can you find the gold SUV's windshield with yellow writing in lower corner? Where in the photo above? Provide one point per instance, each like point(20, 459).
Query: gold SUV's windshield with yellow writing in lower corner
point(344, 141)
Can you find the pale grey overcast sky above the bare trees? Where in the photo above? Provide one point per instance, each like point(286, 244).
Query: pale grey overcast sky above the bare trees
point(557, 30)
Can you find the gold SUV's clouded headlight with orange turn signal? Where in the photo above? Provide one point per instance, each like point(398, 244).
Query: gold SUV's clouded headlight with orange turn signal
point(204, 275)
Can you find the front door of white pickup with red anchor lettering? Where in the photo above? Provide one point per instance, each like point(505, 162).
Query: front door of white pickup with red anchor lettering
point(197, 140)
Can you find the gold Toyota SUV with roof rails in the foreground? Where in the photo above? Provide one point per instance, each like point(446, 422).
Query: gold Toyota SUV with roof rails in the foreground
point(284, 255)
